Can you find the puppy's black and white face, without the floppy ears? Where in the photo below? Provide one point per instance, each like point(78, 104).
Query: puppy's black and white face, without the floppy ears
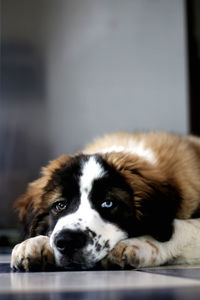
point(92, 199)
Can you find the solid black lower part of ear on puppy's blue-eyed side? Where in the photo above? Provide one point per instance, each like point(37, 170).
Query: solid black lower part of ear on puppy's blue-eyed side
point(158, 209)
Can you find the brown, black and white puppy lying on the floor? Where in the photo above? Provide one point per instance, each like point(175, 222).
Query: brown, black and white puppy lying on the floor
point(126, 201)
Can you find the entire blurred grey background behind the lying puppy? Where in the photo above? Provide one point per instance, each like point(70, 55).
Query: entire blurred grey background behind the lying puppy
point(74, 70)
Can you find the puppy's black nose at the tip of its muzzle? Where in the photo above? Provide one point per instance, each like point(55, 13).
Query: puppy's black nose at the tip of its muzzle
point(67, 241)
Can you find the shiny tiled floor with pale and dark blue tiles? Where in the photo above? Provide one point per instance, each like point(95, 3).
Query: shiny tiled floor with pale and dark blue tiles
point(177, 283)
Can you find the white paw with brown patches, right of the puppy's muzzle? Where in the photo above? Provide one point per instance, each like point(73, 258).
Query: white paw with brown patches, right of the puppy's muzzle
point(133, 253)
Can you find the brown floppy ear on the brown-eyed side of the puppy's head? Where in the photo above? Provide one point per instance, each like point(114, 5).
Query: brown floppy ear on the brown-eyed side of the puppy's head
point(32, 211)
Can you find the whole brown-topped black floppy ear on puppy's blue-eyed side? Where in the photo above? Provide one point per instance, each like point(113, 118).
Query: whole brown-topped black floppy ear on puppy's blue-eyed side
point(156, 199)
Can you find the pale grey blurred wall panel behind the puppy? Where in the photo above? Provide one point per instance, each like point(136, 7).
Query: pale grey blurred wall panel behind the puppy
point(115, 65)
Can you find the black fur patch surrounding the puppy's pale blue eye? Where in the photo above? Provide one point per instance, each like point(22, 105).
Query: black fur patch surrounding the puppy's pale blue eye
point(113, 187)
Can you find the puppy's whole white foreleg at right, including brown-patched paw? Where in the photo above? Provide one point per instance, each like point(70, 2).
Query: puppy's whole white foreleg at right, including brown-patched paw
point(182, 248)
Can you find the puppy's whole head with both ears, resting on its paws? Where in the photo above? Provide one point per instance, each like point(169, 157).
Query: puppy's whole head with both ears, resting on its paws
point(88, 203)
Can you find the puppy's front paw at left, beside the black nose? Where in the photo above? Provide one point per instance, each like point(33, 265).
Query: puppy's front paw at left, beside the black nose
point(34, 254)
